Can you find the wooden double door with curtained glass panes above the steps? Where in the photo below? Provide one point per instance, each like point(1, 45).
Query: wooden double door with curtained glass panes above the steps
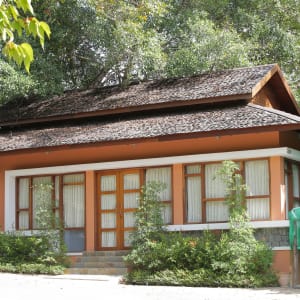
point(117, 200)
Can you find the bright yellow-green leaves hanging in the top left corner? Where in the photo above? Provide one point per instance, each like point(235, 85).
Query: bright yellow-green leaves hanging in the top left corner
point(17, 16)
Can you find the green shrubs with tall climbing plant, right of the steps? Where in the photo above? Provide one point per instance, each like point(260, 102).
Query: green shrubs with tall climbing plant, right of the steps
point(235, 259)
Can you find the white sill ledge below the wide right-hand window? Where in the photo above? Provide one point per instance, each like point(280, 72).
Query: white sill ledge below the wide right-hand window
point(224, 226)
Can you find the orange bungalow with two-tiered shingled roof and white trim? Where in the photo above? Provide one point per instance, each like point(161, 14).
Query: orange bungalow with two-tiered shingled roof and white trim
point(97, 147)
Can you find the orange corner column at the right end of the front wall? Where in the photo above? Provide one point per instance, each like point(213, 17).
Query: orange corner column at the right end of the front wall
point(278, 196)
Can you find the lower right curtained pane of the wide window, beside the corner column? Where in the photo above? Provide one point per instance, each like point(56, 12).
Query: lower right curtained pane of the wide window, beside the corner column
point(258, 209)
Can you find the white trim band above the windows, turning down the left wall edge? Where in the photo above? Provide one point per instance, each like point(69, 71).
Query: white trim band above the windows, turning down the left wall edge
point(11, 175)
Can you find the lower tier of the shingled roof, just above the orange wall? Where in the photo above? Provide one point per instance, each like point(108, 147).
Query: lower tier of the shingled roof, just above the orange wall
point(214, 120)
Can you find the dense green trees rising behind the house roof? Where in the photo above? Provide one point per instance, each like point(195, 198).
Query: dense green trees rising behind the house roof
point(97, 42)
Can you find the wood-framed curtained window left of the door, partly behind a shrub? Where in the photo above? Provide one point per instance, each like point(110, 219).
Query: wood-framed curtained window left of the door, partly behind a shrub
point(67, 194)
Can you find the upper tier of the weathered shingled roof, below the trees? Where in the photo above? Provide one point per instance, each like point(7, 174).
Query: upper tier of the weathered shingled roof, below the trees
point(233, 84)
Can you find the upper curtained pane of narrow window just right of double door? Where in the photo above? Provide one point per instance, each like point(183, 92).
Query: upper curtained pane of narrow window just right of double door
point(162, 175)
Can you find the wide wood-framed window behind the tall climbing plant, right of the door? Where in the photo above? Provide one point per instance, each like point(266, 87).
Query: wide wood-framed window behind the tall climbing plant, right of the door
point(205, 192)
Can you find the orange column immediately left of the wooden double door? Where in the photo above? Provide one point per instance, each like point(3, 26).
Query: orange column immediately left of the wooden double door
point(90, 210)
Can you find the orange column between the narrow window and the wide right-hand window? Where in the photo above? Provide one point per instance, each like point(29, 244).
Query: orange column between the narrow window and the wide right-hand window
point(178, 179)
